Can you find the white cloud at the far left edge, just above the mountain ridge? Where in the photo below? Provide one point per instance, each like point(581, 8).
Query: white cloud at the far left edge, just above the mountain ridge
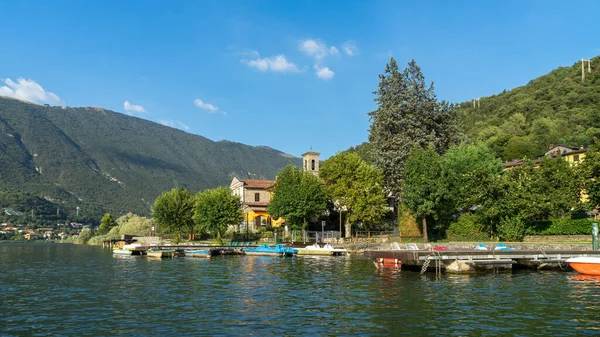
point(29, 90)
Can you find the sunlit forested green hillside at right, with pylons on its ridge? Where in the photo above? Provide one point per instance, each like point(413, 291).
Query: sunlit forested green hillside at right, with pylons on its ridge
point(557, 108)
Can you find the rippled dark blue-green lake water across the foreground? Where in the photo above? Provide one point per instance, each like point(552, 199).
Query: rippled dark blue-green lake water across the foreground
point(63, 289)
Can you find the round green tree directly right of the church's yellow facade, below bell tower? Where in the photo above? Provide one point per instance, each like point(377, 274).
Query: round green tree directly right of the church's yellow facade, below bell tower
point(298, 196)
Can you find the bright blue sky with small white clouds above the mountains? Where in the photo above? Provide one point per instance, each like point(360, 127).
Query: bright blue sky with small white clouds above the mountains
point(286, 74)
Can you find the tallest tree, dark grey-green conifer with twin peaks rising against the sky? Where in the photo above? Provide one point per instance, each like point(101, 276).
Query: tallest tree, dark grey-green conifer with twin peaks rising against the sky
point(407, 115)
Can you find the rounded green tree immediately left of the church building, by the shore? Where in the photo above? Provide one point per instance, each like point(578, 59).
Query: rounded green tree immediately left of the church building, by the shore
point(216, 210)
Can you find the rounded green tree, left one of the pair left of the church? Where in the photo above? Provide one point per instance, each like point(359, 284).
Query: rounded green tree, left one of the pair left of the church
point(174, 210)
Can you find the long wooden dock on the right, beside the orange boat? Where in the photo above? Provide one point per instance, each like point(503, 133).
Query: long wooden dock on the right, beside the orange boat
point(464, 261)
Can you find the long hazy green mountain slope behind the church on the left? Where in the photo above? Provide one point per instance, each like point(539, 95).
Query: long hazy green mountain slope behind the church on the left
point(100, 160)
